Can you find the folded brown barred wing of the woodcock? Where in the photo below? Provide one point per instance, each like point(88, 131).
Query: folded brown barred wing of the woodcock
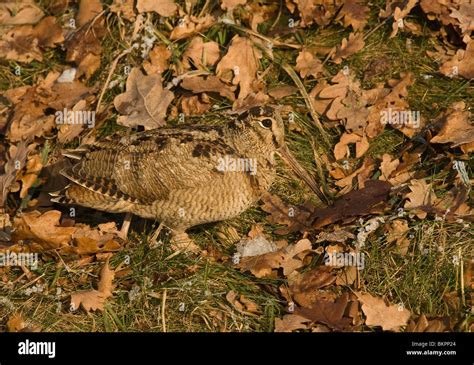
point(147, 166)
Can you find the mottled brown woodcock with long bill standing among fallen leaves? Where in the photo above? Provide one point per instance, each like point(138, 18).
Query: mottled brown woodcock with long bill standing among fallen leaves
point(182, 176)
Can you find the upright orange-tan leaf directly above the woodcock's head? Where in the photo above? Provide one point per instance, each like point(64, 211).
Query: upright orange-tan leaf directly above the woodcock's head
point(240, 64)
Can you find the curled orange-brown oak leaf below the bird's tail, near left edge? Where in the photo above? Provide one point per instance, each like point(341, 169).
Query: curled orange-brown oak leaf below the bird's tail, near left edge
point(43, 229)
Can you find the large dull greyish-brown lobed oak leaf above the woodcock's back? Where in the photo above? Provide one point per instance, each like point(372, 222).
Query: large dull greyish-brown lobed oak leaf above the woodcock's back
point(144, 103)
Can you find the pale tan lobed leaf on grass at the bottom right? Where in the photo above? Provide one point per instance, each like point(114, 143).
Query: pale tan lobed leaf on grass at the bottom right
point(389, 317)
